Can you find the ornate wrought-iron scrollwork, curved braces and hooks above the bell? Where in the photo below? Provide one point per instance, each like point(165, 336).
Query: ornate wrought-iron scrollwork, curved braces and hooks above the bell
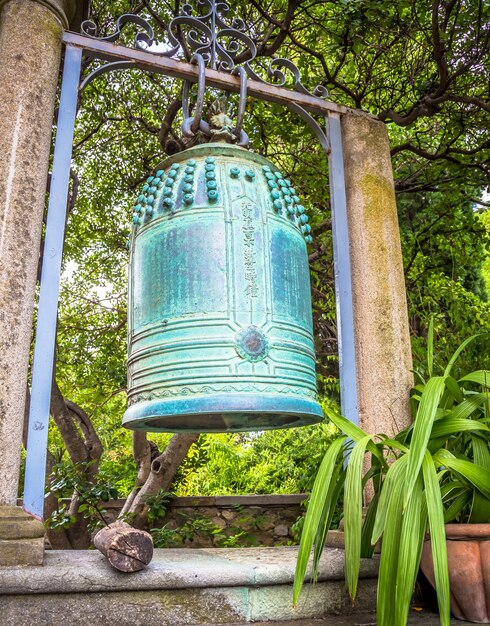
point(205, 38)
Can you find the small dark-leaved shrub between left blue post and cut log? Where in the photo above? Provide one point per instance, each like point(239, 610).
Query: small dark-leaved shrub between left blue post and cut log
point(69, 478)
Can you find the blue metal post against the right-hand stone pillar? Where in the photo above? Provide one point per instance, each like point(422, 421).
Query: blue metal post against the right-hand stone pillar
point(342, 270)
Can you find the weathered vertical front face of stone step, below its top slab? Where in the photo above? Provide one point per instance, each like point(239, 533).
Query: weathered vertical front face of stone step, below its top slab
point(190, 607)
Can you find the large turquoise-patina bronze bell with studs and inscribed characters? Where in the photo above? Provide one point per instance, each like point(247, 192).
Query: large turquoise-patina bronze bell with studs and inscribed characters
point(220, 323)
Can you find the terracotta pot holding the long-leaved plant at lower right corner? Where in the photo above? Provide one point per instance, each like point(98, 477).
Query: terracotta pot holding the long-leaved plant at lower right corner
point(468, 554)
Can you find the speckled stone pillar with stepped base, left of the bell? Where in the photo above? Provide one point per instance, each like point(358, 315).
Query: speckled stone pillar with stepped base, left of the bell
point(30, 48)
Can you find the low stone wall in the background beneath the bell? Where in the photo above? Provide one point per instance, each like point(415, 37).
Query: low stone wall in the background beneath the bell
point(225, 521)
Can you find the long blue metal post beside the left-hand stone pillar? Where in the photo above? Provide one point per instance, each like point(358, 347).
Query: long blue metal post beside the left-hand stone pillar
point(42, 370)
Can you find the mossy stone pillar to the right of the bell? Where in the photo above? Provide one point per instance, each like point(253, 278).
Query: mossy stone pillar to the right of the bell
point(383, 354)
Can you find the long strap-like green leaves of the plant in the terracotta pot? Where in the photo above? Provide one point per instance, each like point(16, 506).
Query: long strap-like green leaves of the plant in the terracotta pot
point(435, 472)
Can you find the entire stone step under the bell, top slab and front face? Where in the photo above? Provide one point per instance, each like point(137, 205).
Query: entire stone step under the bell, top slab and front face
point(181, 587)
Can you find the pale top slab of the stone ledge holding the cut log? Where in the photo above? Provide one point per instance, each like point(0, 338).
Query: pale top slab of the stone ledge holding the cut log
point(88, 572)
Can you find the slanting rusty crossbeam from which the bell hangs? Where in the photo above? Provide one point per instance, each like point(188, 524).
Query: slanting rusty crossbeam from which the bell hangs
point(187, 71)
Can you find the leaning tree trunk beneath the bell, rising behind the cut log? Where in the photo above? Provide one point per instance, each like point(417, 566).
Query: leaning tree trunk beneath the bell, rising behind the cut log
point(162, 472)
